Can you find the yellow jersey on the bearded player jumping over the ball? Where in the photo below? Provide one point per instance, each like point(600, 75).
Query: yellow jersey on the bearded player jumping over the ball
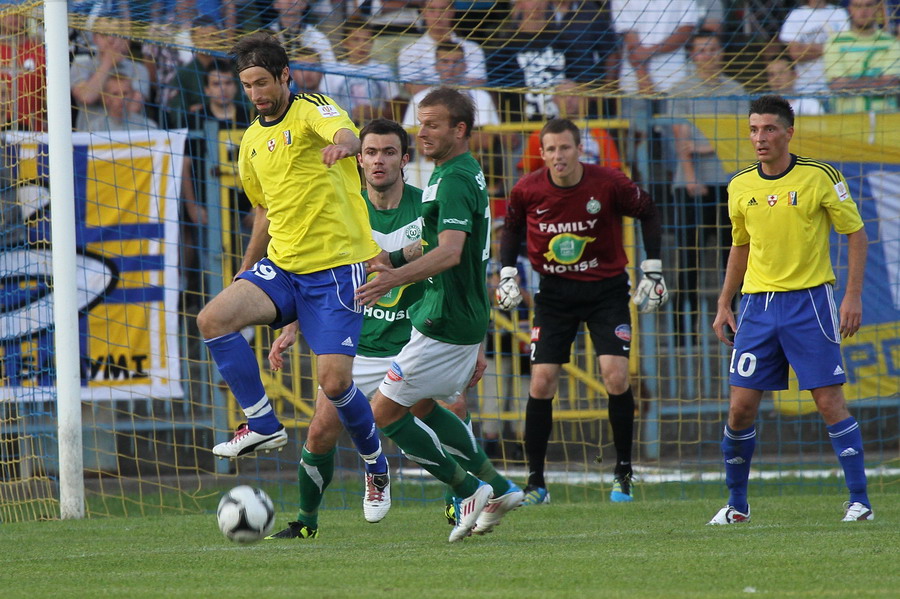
point(317, 216)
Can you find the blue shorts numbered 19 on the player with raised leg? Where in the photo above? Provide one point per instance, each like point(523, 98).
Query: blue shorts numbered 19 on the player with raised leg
point(323, 303)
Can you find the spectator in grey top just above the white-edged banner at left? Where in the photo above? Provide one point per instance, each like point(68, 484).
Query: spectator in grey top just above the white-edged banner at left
point(120, 108)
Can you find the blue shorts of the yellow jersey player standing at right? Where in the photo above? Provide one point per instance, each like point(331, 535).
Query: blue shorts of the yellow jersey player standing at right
point(800, 328)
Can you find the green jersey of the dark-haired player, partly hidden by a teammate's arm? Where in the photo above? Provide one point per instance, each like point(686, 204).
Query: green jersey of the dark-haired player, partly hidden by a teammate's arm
point(386, 325)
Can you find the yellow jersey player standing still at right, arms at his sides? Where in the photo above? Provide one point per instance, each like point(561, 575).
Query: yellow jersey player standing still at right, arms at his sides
point(782, 210)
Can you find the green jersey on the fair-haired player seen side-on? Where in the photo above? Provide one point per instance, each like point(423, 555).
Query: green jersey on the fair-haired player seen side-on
point(455, 308)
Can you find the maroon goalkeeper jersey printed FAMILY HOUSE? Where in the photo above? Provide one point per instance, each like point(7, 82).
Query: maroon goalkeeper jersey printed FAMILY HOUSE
point(576, 232)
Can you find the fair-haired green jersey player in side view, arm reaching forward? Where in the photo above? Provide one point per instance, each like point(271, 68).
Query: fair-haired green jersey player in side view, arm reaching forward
point(451, 320)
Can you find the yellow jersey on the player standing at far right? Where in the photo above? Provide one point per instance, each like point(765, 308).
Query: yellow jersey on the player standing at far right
point(787, 219)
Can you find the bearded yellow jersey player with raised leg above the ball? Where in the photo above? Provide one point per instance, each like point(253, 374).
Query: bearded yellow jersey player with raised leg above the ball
point(306, 256)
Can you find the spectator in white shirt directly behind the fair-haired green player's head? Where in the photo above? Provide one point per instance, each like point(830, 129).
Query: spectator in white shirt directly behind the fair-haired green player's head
point(451, 67)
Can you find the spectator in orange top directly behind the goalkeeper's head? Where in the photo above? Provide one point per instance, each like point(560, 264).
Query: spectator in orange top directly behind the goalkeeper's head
point(598, 146)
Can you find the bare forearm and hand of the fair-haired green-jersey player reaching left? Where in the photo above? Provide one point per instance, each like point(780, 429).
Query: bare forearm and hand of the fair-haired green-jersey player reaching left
point(446, 255)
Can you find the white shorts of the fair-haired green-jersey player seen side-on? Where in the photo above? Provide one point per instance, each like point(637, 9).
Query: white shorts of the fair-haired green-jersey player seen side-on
point(426, 368)
